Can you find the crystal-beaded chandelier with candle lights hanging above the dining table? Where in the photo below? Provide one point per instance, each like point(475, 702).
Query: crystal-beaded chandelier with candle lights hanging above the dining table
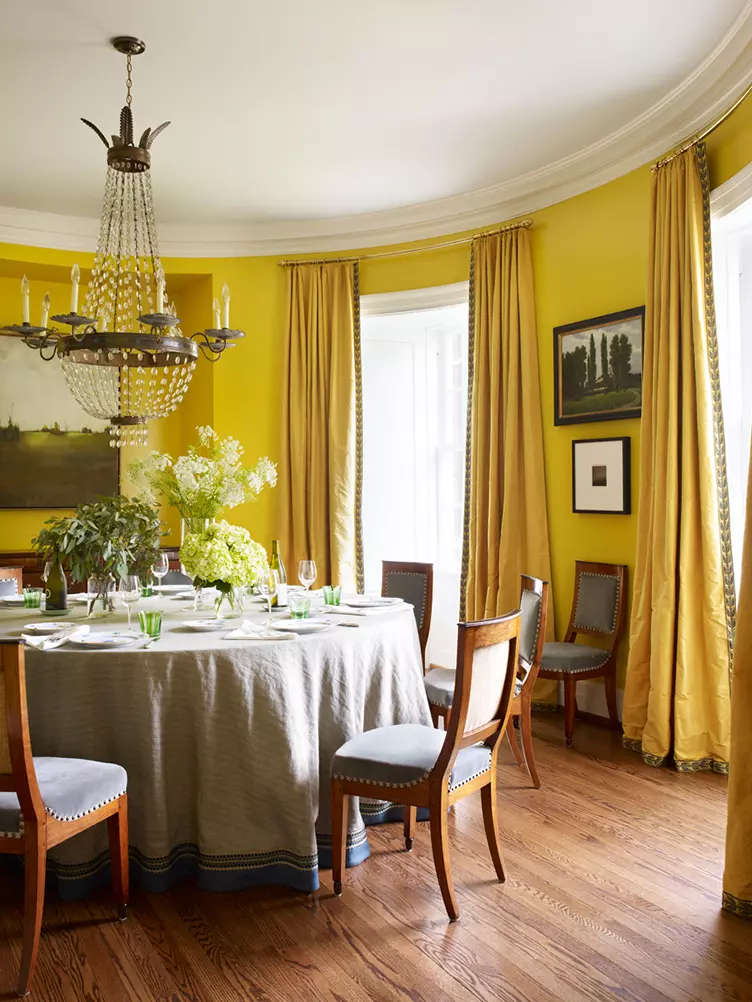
point(126, 359)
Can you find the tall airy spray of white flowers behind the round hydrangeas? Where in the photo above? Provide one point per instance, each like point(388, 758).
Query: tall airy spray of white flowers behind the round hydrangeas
point(209, 478)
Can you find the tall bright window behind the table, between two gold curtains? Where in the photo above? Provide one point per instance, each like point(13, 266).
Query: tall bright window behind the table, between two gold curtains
point(415, 350)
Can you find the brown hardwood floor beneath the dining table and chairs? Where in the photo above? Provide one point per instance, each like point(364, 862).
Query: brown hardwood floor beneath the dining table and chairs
point(613, 892)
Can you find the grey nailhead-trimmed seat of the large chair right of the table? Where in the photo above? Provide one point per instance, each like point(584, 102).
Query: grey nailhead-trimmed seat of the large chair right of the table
point(404, 756)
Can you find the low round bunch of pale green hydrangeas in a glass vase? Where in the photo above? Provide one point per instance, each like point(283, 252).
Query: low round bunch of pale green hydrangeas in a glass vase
point(225, 558)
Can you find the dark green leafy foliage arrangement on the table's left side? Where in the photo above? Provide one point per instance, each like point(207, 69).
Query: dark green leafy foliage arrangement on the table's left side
point(113, 537)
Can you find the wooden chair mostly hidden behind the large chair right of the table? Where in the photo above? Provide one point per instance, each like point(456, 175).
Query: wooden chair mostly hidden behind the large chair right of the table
point(440, 683)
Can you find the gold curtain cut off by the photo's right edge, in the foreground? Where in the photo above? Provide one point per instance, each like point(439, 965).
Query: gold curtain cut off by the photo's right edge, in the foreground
point(737, 877)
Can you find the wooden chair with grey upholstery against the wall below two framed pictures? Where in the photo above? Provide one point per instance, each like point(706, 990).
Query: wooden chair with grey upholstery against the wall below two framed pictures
point(599, 612)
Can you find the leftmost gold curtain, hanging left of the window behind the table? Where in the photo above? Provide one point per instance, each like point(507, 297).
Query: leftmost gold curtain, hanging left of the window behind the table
point(321, 466)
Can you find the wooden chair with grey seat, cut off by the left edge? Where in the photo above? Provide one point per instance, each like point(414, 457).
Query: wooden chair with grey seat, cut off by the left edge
point(45, 802)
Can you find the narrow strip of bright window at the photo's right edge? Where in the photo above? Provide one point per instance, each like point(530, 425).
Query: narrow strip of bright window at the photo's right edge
point(732, 276)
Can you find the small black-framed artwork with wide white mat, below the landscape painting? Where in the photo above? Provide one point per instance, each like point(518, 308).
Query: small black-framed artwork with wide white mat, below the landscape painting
point(601, 476)
